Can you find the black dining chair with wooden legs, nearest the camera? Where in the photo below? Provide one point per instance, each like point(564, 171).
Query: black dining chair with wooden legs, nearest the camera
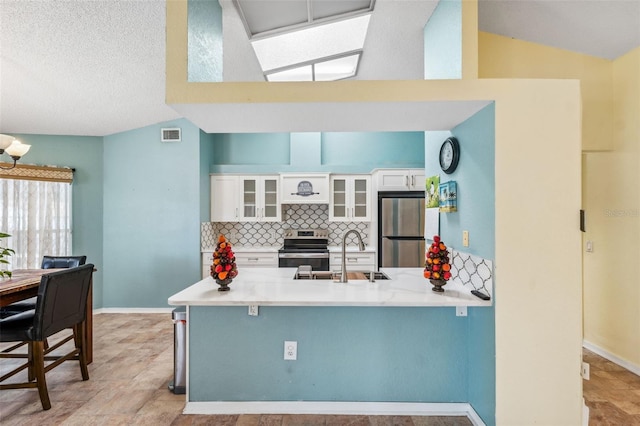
point(61, 303)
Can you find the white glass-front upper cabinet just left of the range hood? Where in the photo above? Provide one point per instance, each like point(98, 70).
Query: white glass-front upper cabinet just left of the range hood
point(259, 198)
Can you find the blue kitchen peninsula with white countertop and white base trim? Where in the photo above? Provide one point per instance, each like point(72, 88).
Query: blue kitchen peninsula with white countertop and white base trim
point(385, 346)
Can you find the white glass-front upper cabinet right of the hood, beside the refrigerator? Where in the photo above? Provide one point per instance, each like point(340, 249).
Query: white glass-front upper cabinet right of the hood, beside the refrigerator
point(350, 198)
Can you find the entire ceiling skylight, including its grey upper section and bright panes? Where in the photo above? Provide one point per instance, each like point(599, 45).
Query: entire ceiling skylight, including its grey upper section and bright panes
point(307, 40)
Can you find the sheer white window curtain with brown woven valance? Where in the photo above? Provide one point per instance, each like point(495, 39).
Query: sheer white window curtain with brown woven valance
point(36, 212)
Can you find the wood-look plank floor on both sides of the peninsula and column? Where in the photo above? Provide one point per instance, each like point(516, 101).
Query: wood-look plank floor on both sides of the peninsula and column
point(133, 363)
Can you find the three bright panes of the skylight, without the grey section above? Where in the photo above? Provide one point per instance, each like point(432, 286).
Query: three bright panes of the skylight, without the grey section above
point(325, 52)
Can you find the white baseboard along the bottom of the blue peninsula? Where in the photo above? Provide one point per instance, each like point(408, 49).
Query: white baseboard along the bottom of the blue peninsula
point(335, 408)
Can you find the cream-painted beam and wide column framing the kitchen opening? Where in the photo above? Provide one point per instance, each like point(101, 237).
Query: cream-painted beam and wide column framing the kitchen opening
point(538, 292)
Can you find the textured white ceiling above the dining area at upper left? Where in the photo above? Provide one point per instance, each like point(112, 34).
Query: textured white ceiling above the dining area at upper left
point(82, 67)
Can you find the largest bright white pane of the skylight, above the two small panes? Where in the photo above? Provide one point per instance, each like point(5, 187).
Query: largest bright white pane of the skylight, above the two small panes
point(310, 44)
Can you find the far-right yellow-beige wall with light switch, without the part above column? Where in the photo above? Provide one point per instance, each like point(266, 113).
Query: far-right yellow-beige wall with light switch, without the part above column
point(612, 203)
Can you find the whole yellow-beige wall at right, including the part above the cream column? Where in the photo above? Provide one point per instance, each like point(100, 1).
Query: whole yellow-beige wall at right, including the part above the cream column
point(611, 179)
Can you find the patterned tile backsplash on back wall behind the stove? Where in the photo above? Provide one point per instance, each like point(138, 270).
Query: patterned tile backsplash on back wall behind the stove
point(294, 216)
